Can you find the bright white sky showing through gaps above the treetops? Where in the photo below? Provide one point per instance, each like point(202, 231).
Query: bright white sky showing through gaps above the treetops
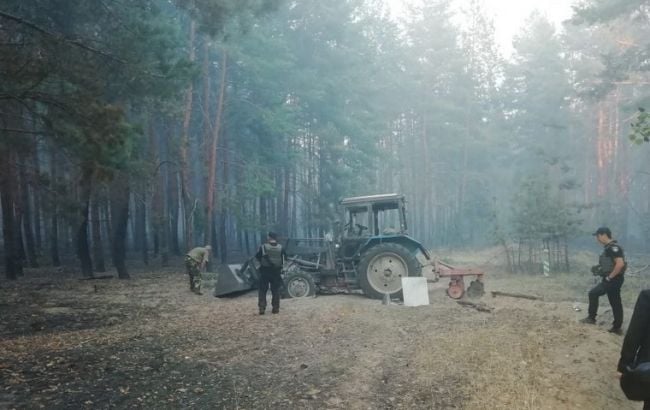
point(509, 15)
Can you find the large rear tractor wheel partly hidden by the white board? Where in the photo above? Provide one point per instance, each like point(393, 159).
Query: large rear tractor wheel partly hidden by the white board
point(382, 267)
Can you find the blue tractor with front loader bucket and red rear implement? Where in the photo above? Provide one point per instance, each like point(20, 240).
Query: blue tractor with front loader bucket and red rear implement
point(368, 252)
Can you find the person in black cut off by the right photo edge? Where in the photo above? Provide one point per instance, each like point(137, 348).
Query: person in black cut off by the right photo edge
point(636, 345)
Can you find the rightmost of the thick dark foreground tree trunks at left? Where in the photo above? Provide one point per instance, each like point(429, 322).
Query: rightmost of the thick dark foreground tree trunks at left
point(120, 217)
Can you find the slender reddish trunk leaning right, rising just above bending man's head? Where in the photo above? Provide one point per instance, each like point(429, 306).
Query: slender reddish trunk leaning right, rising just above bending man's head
point(212, 161)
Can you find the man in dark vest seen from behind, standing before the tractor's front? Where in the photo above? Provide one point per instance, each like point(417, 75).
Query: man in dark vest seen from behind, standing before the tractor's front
point(271, 257)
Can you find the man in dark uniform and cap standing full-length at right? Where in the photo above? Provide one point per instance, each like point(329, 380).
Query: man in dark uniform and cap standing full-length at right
point(611, 267)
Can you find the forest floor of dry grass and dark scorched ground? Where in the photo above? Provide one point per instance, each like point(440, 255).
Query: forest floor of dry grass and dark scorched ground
point(150, 343)
